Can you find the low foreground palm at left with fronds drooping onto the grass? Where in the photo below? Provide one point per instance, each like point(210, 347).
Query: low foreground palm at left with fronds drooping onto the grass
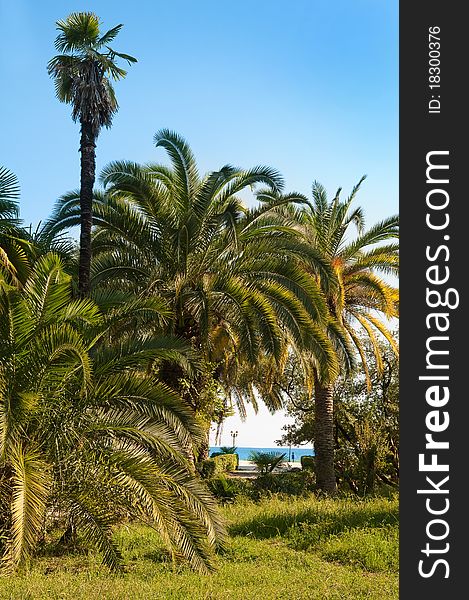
point(87, 433)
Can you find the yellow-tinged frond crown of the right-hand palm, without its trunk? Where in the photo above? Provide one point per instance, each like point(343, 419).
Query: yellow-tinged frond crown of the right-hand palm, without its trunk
point(359, 261)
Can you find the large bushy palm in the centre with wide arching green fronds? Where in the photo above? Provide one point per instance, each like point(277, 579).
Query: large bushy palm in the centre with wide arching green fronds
point(231, 278)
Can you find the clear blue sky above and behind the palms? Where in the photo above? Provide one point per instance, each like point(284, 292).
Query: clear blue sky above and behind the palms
point(307, 86)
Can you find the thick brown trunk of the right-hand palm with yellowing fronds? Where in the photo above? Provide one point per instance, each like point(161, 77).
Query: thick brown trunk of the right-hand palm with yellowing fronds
point(324, 437)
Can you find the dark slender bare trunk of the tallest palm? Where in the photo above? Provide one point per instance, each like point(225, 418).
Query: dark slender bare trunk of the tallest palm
point(88, 174)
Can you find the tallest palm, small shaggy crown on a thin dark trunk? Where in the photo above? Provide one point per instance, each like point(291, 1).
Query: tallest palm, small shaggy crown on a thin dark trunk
point(82, 75)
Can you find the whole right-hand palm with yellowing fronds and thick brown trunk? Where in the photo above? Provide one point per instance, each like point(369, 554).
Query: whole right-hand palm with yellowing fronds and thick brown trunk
point(360, 300)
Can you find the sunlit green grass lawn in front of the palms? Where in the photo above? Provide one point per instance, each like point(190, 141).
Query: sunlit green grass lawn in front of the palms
point(278, 549)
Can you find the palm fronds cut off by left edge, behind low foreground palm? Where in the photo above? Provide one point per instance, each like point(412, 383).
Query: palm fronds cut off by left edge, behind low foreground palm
point(14, 264)
